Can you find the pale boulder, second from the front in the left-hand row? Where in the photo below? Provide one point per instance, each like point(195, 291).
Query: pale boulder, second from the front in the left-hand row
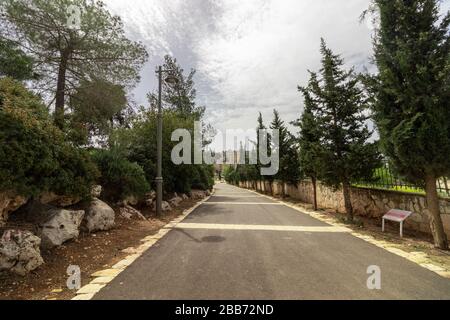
point(59, 226)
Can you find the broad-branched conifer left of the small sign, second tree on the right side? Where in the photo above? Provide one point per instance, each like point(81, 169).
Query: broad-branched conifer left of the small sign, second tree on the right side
point(339, 109)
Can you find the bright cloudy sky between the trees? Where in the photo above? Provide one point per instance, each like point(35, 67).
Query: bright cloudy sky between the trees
point(249, 55)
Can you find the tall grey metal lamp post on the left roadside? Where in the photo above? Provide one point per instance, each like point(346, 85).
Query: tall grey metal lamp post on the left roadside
point(171, 80)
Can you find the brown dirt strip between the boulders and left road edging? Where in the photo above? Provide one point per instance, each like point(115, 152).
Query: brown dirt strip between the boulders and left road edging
point(90, 252)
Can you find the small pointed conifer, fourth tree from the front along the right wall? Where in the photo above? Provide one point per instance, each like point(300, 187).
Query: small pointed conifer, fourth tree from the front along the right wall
point(288, 170)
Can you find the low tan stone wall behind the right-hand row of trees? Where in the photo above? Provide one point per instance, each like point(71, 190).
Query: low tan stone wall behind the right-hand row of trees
point(370, 203)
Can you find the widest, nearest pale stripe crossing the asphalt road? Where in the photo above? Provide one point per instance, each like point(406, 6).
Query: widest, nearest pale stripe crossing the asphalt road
point(208, 226)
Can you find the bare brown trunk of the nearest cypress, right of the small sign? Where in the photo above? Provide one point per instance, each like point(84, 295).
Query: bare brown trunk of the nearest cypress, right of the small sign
point(437, 228)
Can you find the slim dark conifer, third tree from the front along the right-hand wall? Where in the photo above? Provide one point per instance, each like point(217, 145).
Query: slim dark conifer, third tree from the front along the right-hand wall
point(309, 142)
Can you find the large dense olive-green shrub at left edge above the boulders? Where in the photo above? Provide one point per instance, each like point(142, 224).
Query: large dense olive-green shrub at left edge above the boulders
point(34, 156)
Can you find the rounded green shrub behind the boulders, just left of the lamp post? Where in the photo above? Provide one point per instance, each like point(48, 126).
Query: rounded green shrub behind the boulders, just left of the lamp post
point(120, 178)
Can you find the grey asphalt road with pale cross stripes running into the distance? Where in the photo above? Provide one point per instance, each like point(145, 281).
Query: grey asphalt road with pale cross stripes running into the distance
point(243, 246)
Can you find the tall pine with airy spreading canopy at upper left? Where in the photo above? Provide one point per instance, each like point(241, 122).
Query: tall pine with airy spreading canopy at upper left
point(65, 54)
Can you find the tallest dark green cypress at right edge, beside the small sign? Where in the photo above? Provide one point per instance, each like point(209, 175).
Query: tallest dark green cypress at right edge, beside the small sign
point(412, 95)
